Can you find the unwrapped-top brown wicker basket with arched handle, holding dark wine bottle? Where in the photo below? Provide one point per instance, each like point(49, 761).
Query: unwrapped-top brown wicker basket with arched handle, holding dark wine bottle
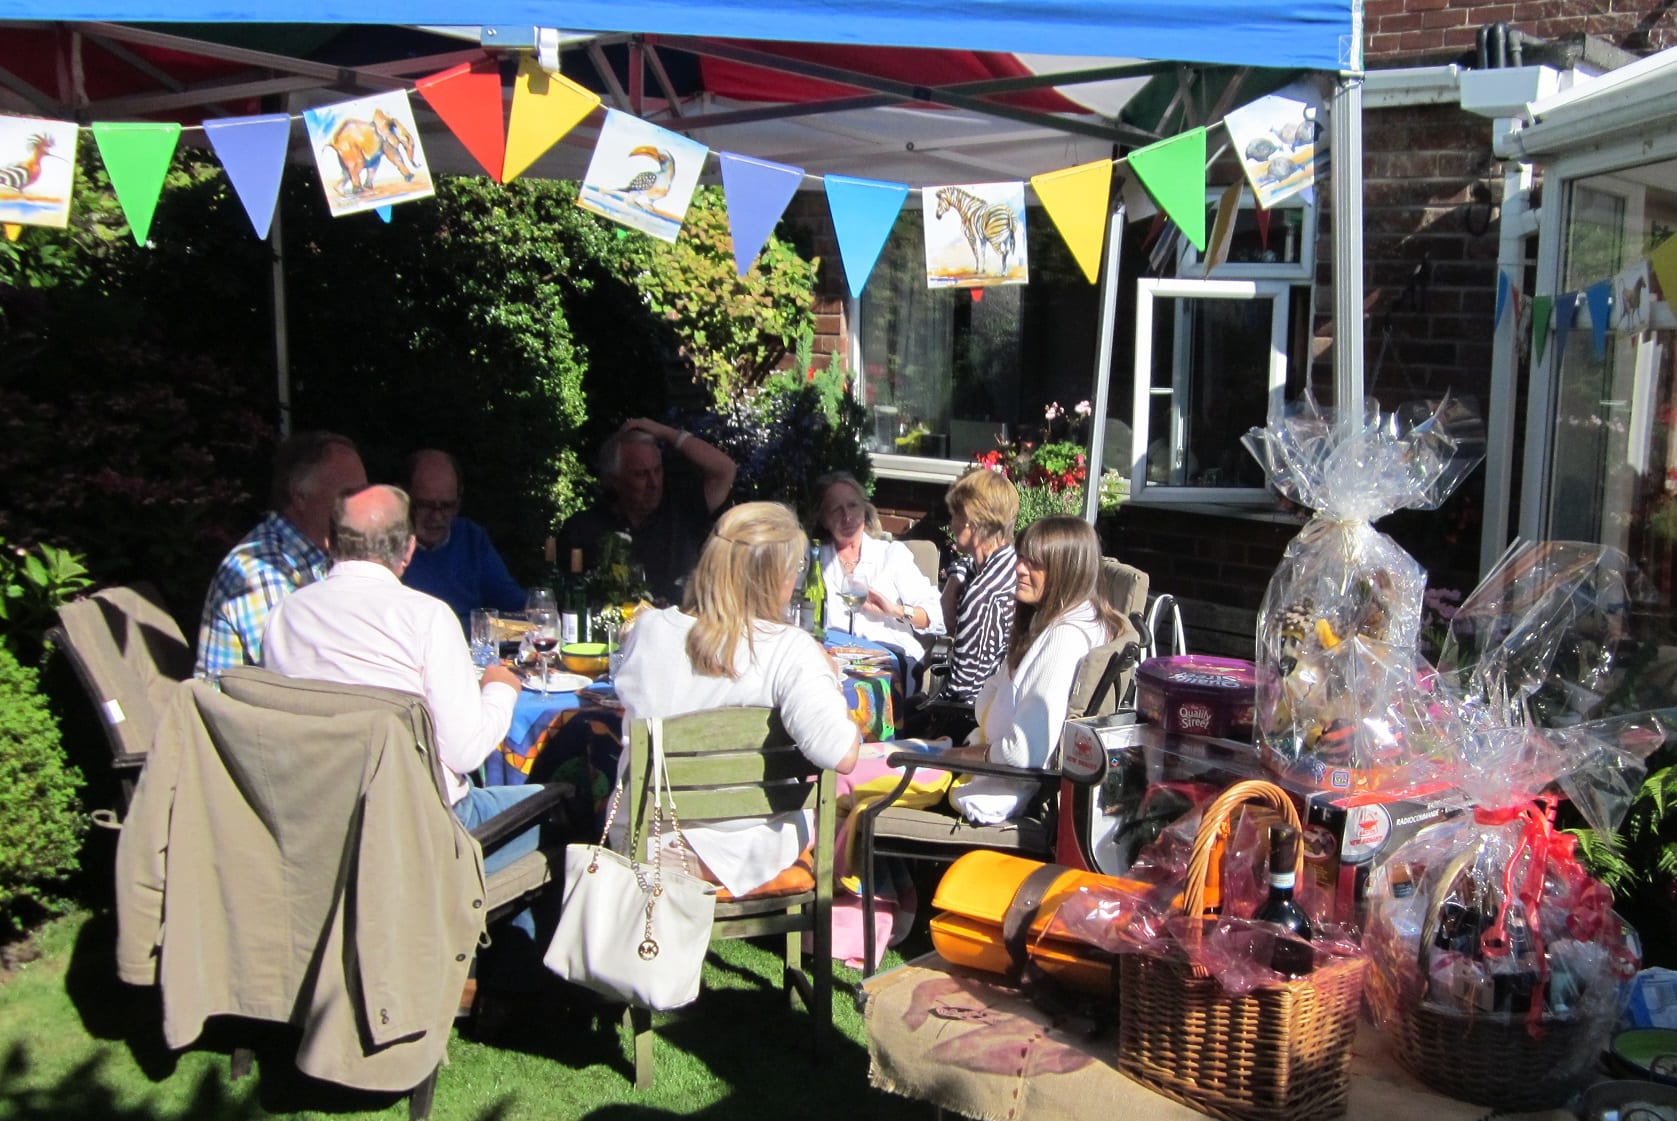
point(1280, 1053)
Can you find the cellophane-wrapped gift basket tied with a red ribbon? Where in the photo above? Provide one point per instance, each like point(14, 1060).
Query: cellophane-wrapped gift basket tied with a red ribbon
point(1497, 961)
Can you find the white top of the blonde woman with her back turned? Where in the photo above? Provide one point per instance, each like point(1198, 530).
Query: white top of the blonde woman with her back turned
point(787, 672)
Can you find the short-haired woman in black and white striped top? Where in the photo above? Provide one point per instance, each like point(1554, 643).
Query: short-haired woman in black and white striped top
point(979, 597)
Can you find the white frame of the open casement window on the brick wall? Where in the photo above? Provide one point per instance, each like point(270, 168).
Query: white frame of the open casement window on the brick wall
point(1148, 291)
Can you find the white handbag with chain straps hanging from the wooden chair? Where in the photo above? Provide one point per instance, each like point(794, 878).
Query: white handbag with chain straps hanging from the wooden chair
point(630, 929)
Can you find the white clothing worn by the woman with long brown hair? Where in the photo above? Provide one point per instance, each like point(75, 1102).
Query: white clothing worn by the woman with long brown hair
point(1020, 714)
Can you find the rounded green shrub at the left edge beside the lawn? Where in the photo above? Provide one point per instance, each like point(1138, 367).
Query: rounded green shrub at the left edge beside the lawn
point(41, 821)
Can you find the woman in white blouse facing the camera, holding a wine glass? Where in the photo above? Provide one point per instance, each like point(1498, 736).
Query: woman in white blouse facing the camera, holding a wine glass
point(901, 602)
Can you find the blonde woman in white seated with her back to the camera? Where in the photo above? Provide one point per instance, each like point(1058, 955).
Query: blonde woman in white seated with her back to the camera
point(727, 645)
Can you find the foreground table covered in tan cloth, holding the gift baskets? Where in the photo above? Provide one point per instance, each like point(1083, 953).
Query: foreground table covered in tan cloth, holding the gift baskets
point(950, 1036)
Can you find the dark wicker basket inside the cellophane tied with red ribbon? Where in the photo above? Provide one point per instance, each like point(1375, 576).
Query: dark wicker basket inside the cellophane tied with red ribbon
point(1487, 1058)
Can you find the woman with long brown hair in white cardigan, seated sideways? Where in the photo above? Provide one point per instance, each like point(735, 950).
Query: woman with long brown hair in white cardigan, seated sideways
point(1061, 617)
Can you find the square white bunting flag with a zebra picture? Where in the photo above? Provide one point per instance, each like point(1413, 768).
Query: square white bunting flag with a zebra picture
point(975, 236)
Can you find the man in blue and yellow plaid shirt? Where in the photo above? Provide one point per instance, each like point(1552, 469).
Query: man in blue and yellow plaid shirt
point(286, 551)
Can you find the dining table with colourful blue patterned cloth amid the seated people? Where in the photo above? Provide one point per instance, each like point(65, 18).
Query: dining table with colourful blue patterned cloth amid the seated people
point(543, 722)
